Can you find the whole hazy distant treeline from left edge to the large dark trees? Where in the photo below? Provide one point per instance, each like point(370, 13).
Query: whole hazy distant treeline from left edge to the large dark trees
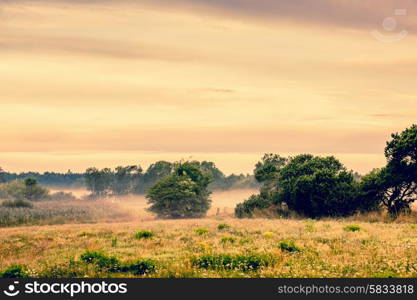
point(128, 179)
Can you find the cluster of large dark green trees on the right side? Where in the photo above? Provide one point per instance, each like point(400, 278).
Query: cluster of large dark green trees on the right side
point(314, 186)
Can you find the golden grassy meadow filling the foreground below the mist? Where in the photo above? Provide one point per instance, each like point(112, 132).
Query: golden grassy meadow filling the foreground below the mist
point(197, 248)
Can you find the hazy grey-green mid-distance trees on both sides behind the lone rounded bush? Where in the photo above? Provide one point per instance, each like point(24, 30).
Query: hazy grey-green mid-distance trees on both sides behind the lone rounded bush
point(125, 180)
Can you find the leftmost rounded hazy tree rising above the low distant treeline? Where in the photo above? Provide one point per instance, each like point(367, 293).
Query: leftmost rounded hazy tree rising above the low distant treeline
point(98, 181)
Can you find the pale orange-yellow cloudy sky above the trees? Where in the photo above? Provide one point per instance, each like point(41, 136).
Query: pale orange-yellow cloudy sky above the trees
point(115, 82)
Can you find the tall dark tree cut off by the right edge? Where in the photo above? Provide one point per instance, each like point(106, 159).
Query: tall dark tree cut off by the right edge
point(395, 185)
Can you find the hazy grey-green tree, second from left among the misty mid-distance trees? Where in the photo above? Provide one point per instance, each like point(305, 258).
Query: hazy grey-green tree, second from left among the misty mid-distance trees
point(124, 179)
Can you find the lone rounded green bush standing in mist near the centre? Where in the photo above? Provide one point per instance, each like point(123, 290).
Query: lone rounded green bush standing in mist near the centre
point(183, 194)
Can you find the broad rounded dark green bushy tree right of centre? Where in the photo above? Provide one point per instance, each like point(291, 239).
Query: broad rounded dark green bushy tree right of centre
point(310, 185)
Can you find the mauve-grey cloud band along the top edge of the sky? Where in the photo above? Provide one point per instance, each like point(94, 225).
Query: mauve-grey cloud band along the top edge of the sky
point(360, 14)
